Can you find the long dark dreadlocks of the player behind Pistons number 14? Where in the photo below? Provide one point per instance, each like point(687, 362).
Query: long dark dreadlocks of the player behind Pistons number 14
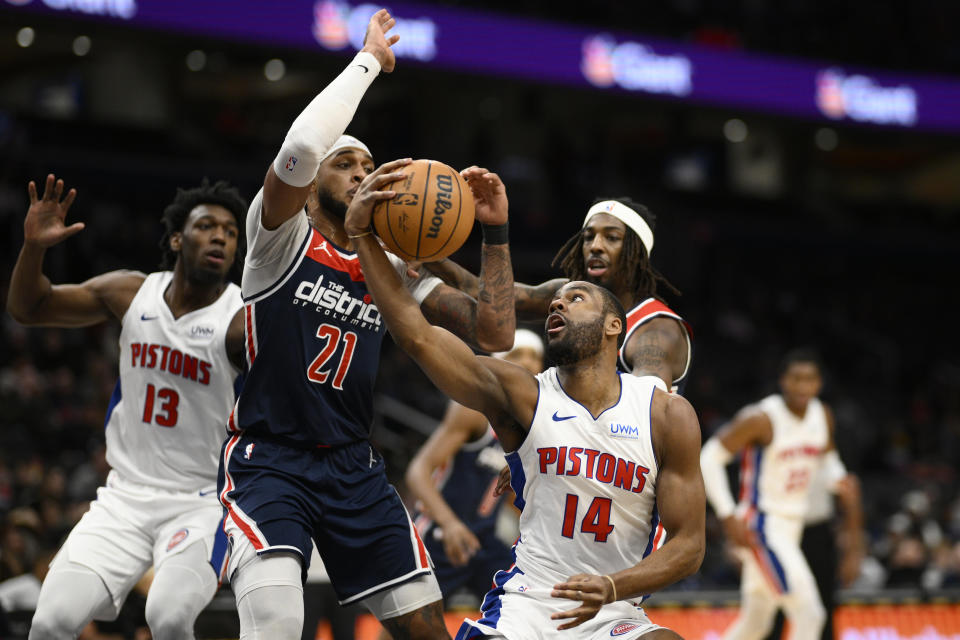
point(634, 265)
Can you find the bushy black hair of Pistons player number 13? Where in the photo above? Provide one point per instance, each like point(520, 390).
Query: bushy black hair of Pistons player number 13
point(175, 217)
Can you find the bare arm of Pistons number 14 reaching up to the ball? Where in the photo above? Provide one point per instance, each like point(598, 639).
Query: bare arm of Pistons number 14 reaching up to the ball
point(476, 382)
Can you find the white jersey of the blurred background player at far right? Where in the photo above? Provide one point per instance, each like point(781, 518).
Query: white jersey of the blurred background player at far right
point(776, 478)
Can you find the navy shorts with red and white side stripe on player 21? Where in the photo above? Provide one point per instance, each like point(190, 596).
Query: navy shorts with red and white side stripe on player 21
point(280, 497)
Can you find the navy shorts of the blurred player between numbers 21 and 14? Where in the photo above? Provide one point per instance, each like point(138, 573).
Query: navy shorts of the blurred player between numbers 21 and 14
point(477, 575)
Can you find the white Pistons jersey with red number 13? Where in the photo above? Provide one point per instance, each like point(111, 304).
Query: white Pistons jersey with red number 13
point(167, 416)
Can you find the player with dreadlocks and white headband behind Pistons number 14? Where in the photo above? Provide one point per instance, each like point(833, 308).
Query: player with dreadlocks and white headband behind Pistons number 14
point(612, 249)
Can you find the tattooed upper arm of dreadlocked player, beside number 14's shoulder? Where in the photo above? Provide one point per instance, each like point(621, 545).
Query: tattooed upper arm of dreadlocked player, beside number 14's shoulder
point(658, 348)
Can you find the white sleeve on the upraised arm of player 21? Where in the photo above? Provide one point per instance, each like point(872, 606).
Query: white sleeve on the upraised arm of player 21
point(323, 121)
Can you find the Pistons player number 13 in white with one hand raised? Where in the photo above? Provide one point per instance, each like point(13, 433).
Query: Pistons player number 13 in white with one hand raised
point(181, 346)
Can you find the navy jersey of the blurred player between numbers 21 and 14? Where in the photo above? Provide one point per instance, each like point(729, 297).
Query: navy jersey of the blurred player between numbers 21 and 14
point(467, 484)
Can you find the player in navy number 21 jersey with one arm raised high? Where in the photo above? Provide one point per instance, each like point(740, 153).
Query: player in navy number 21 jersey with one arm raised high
point(298, 463)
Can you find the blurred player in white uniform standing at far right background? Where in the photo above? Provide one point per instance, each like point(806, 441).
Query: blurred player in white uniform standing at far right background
point(786, 440)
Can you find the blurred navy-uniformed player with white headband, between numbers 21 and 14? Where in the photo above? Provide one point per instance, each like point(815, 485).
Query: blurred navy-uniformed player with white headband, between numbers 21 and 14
point(454, 476)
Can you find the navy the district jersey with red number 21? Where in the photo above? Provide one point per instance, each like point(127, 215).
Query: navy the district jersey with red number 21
point(313, 337)
